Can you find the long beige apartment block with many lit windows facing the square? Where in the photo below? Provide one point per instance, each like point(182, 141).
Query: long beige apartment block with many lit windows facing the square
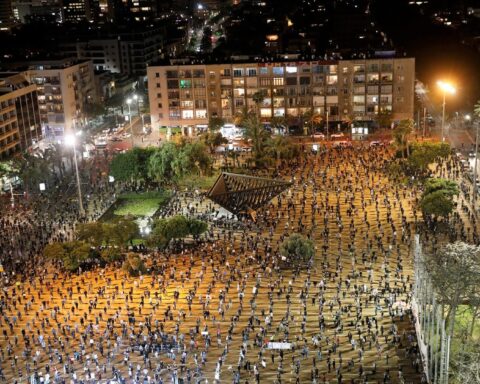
point(187, 95)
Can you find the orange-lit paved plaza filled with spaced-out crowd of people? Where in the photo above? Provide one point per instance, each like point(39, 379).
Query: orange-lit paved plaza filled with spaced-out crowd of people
point(207, 313)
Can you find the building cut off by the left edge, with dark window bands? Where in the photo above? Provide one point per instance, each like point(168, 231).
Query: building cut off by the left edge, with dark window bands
point(20, 125)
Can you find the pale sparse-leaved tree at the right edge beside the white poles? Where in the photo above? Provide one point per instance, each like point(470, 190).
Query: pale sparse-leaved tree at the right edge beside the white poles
point(455, 274)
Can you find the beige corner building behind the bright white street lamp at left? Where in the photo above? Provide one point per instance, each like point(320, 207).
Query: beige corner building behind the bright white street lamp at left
point(64, 89)
